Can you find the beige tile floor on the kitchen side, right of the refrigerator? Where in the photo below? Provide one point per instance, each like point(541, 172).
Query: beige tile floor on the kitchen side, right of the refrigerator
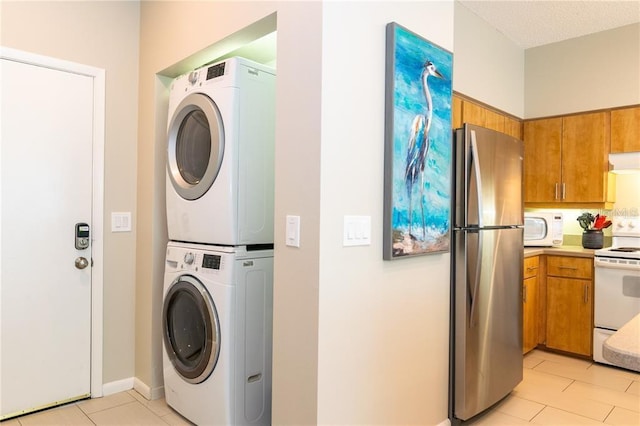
point(559, 390)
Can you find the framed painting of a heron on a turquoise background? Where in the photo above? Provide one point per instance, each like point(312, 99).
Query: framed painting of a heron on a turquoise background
point(418, 140)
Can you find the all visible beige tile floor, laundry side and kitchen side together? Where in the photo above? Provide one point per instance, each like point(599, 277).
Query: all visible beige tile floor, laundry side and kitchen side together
point(556, 390)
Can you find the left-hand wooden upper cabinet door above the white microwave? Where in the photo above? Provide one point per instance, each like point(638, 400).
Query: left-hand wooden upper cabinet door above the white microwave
point(542, 160)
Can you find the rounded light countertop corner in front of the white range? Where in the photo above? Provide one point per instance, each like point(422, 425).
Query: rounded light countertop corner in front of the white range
point(623, 347)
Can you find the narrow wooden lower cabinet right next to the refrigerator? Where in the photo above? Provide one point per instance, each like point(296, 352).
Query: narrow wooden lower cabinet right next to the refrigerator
point(530, 304)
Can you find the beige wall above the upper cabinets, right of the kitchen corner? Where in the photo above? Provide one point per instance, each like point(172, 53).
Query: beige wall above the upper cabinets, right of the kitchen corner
point(596, 71)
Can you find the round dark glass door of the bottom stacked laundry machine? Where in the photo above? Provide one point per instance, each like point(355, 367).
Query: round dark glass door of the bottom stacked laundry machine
point(191, 329)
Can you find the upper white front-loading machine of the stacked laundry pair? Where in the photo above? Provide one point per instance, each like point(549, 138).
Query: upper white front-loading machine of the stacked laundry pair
point(220, 154)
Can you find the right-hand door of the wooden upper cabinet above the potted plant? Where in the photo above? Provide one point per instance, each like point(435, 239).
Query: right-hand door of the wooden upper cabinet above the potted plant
point(585, 157)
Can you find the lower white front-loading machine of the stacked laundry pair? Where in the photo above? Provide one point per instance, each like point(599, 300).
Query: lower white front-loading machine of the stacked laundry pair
point(217, 321)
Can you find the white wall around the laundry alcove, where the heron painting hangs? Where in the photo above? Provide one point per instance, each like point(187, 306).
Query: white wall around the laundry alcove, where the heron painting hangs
point(330, 305)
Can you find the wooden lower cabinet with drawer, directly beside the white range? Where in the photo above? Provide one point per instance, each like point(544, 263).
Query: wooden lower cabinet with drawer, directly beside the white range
point(569, 304)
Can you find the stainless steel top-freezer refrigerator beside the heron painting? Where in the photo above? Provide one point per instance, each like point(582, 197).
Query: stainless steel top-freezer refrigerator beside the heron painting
point(487, 257)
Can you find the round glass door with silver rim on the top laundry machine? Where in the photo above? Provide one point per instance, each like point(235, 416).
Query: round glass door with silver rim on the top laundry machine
point(195, 146)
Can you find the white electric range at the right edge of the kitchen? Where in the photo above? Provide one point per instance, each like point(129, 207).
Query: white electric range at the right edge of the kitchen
point(617, 282)
